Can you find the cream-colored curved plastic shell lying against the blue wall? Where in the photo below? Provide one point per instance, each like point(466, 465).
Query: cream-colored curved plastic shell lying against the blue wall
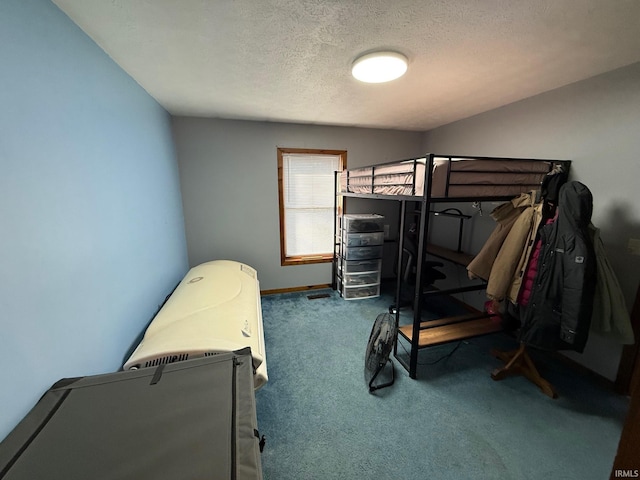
point(215, 308)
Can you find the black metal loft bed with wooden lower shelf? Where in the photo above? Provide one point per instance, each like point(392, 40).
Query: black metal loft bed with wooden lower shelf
point(440, 179)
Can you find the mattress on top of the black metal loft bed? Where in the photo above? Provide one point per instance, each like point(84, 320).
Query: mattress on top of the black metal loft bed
point(450, 178)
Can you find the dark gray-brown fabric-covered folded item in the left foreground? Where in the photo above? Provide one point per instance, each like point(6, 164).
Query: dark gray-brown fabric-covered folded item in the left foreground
point(192, 420)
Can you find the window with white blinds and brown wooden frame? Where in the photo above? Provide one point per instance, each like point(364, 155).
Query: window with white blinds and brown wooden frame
point(307, 197)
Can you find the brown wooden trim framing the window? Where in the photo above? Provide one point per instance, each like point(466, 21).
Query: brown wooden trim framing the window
point(308, 259)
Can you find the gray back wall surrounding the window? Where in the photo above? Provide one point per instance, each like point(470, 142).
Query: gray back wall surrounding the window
point(229, 176)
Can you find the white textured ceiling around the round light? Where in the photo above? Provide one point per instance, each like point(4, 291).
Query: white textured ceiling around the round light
point(289, 60)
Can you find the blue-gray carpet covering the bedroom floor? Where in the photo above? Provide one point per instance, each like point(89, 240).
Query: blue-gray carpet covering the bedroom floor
point(453, 422)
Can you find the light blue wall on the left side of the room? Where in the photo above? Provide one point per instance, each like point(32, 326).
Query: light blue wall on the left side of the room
point(92, 230)
